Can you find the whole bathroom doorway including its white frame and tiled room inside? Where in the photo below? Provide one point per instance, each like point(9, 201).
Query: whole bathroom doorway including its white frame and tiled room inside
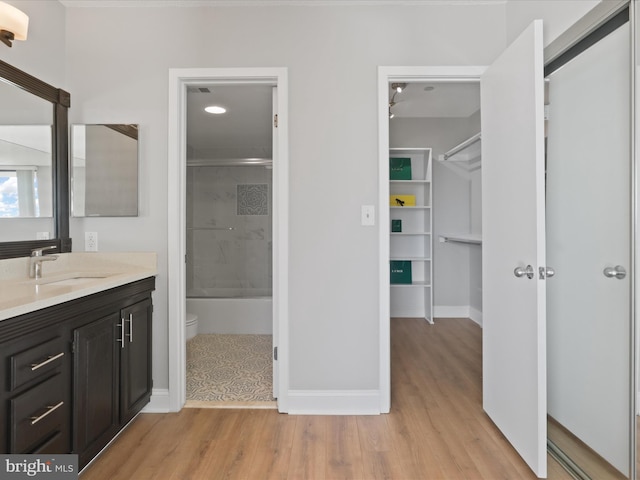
point(228, 267)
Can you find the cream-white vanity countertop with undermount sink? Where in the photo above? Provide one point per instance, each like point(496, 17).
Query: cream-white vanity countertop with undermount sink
point(71, 276)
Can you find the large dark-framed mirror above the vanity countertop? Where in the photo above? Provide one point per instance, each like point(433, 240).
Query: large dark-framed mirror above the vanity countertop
point(34, 171)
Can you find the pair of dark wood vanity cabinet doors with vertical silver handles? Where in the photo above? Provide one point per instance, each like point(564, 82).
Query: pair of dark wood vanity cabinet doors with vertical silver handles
point(112, 376)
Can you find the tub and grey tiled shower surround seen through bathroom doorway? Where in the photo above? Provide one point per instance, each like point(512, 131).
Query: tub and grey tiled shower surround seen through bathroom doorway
point(229, 248)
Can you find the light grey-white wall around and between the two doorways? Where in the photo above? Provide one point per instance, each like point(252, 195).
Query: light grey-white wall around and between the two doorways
point(332, 54)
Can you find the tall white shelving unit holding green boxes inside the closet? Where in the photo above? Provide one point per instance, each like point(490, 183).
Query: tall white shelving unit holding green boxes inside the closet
point(414, 242)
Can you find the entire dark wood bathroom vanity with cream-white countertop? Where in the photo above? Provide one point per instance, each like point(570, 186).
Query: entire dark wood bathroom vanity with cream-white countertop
point(75, 347)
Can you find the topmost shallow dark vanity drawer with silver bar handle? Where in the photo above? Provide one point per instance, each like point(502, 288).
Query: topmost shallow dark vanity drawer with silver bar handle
point(37, 361)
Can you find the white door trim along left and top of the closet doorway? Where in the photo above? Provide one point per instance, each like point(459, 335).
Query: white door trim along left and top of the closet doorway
point(387, 75)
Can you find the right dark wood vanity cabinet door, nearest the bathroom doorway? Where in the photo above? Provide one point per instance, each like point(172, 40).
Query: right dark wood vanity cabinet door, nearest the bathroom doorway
point(136, 359)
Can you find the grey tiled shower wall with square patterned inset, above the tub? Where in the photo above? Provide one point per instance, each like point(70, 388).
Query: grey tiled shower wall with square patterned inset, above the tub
point(229, 231)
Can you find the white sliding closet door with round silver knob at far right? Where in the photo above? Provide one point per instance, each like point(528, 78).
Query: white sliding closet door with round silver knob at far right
point(588, 244)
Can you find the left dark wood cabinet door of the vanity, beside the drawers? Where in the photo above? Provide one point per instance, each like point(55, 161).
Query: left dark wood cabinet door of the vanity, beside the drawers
point(96, 382)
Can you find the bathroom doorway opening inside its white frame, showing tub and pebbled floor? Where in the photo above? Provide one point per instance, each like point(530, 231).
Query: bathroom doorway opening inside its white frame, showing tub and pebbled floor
point(229, 245)
